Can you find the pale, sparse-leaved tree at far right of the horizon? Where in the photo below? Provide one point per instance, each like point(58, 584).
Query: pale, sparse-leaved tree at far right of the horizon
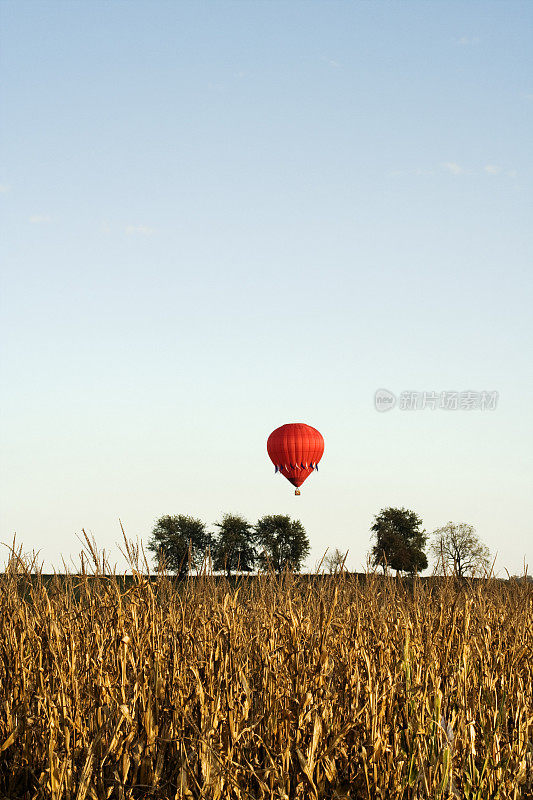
point(458, 549)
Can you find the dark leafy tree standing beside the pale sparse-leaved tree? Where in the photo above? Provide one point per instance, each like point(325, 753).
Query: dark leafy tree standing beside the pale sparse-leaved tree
point(399, 540)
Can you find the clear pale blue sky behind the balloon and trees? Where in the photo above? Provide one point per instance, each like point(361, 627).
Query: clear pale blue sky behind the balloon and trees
point(221, 217)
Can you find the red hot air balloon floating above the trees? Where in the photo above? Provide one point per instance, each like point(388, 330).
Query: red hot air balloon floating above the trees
point(295, 450)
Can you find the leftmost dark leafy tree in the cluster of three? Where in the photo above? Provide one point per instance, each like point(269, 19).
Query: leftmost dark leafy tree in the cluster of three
point(176, 540)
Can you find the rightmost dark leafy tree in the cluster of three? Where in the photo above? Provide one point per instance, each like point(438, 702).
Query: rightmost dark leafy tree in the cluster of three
point(283, 542)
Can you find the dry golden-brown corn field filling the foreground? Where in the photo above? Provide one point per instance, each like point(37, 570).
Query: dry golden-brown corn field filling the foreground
point(271, 688)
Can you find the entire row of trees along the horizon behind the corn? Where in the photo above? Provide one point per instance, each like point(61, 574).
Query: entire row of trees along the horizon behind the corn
point(182, 543)
